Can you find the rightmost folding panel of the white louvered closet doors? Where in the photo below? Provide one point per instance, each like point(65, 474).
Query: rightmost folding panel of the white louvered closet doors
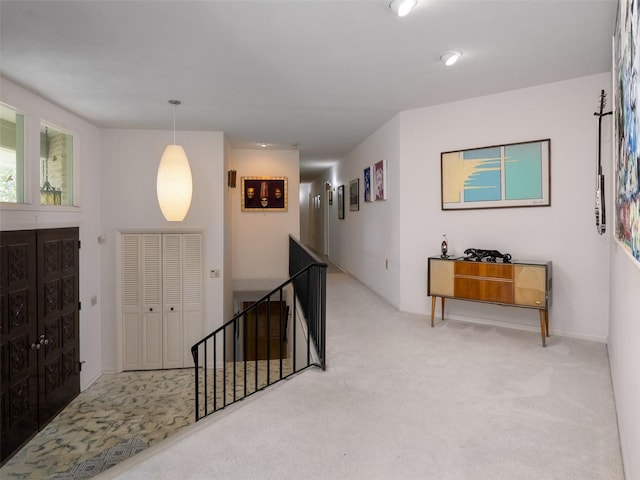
point(193, 329)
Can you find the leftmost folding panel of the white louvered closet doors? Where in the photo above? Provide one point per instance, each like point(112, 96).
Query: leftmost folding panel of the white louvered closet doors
point(131, 303)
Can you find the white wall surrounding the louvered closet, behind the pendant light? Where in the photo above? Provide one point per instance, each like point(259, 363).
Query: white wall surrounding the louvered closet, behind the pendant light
point(129, 203)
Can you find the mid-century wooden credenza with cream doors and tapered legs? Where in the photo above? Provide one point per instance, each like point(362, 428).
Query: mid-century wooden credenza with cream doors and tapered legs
point(518, 284)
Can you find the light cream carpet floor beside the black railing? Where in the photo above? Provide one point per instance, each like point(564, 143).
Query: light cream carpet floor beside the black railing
point(401, 400)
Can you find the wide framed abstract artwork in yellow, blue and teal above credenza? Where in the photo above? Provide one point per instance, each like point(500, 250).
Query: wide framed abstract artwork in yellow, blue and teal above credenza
point(509, 175)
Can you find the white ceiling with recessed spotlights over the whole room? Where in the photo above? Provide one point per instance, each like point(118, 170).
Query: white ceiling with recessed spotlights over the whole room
point(319, 74)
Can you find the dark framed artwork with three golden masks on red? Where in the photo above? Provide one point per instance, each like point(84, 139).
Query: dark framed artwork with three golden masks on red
point(264, 194)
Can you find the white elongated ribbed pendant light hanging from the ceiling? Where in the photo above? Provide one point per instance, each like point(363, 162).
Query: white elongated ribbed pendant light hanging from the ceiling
point(174, 184)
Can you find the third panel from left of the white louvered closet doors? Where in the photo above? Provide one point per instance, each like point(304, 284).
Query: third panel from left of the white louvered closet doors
point(172, 281)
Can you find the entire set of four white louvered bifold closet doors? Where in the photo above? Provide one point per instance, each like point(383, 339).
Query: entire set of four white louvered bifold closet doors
point(161, 299)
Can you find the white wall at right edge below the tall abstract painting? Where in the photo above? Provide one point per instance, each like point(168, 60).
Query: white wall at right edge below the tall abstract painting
point(624, 339)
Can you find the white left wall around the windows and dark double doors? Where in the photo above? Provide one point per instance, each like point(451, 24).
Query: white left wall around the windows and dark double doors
point(86, 215)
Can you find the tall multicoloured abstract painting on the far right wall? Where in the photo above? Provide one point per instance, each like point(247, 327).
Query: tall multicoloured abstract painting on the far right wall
point(626, 130)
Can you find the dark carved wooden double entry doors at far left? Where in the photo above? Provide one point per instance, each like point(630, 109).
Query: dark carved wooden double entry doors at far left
point(39, 330)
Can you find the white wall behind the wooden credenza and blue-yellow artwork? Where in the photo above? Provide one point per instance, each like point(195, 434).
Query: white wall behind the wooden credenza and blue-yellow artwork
point(563, 233)
